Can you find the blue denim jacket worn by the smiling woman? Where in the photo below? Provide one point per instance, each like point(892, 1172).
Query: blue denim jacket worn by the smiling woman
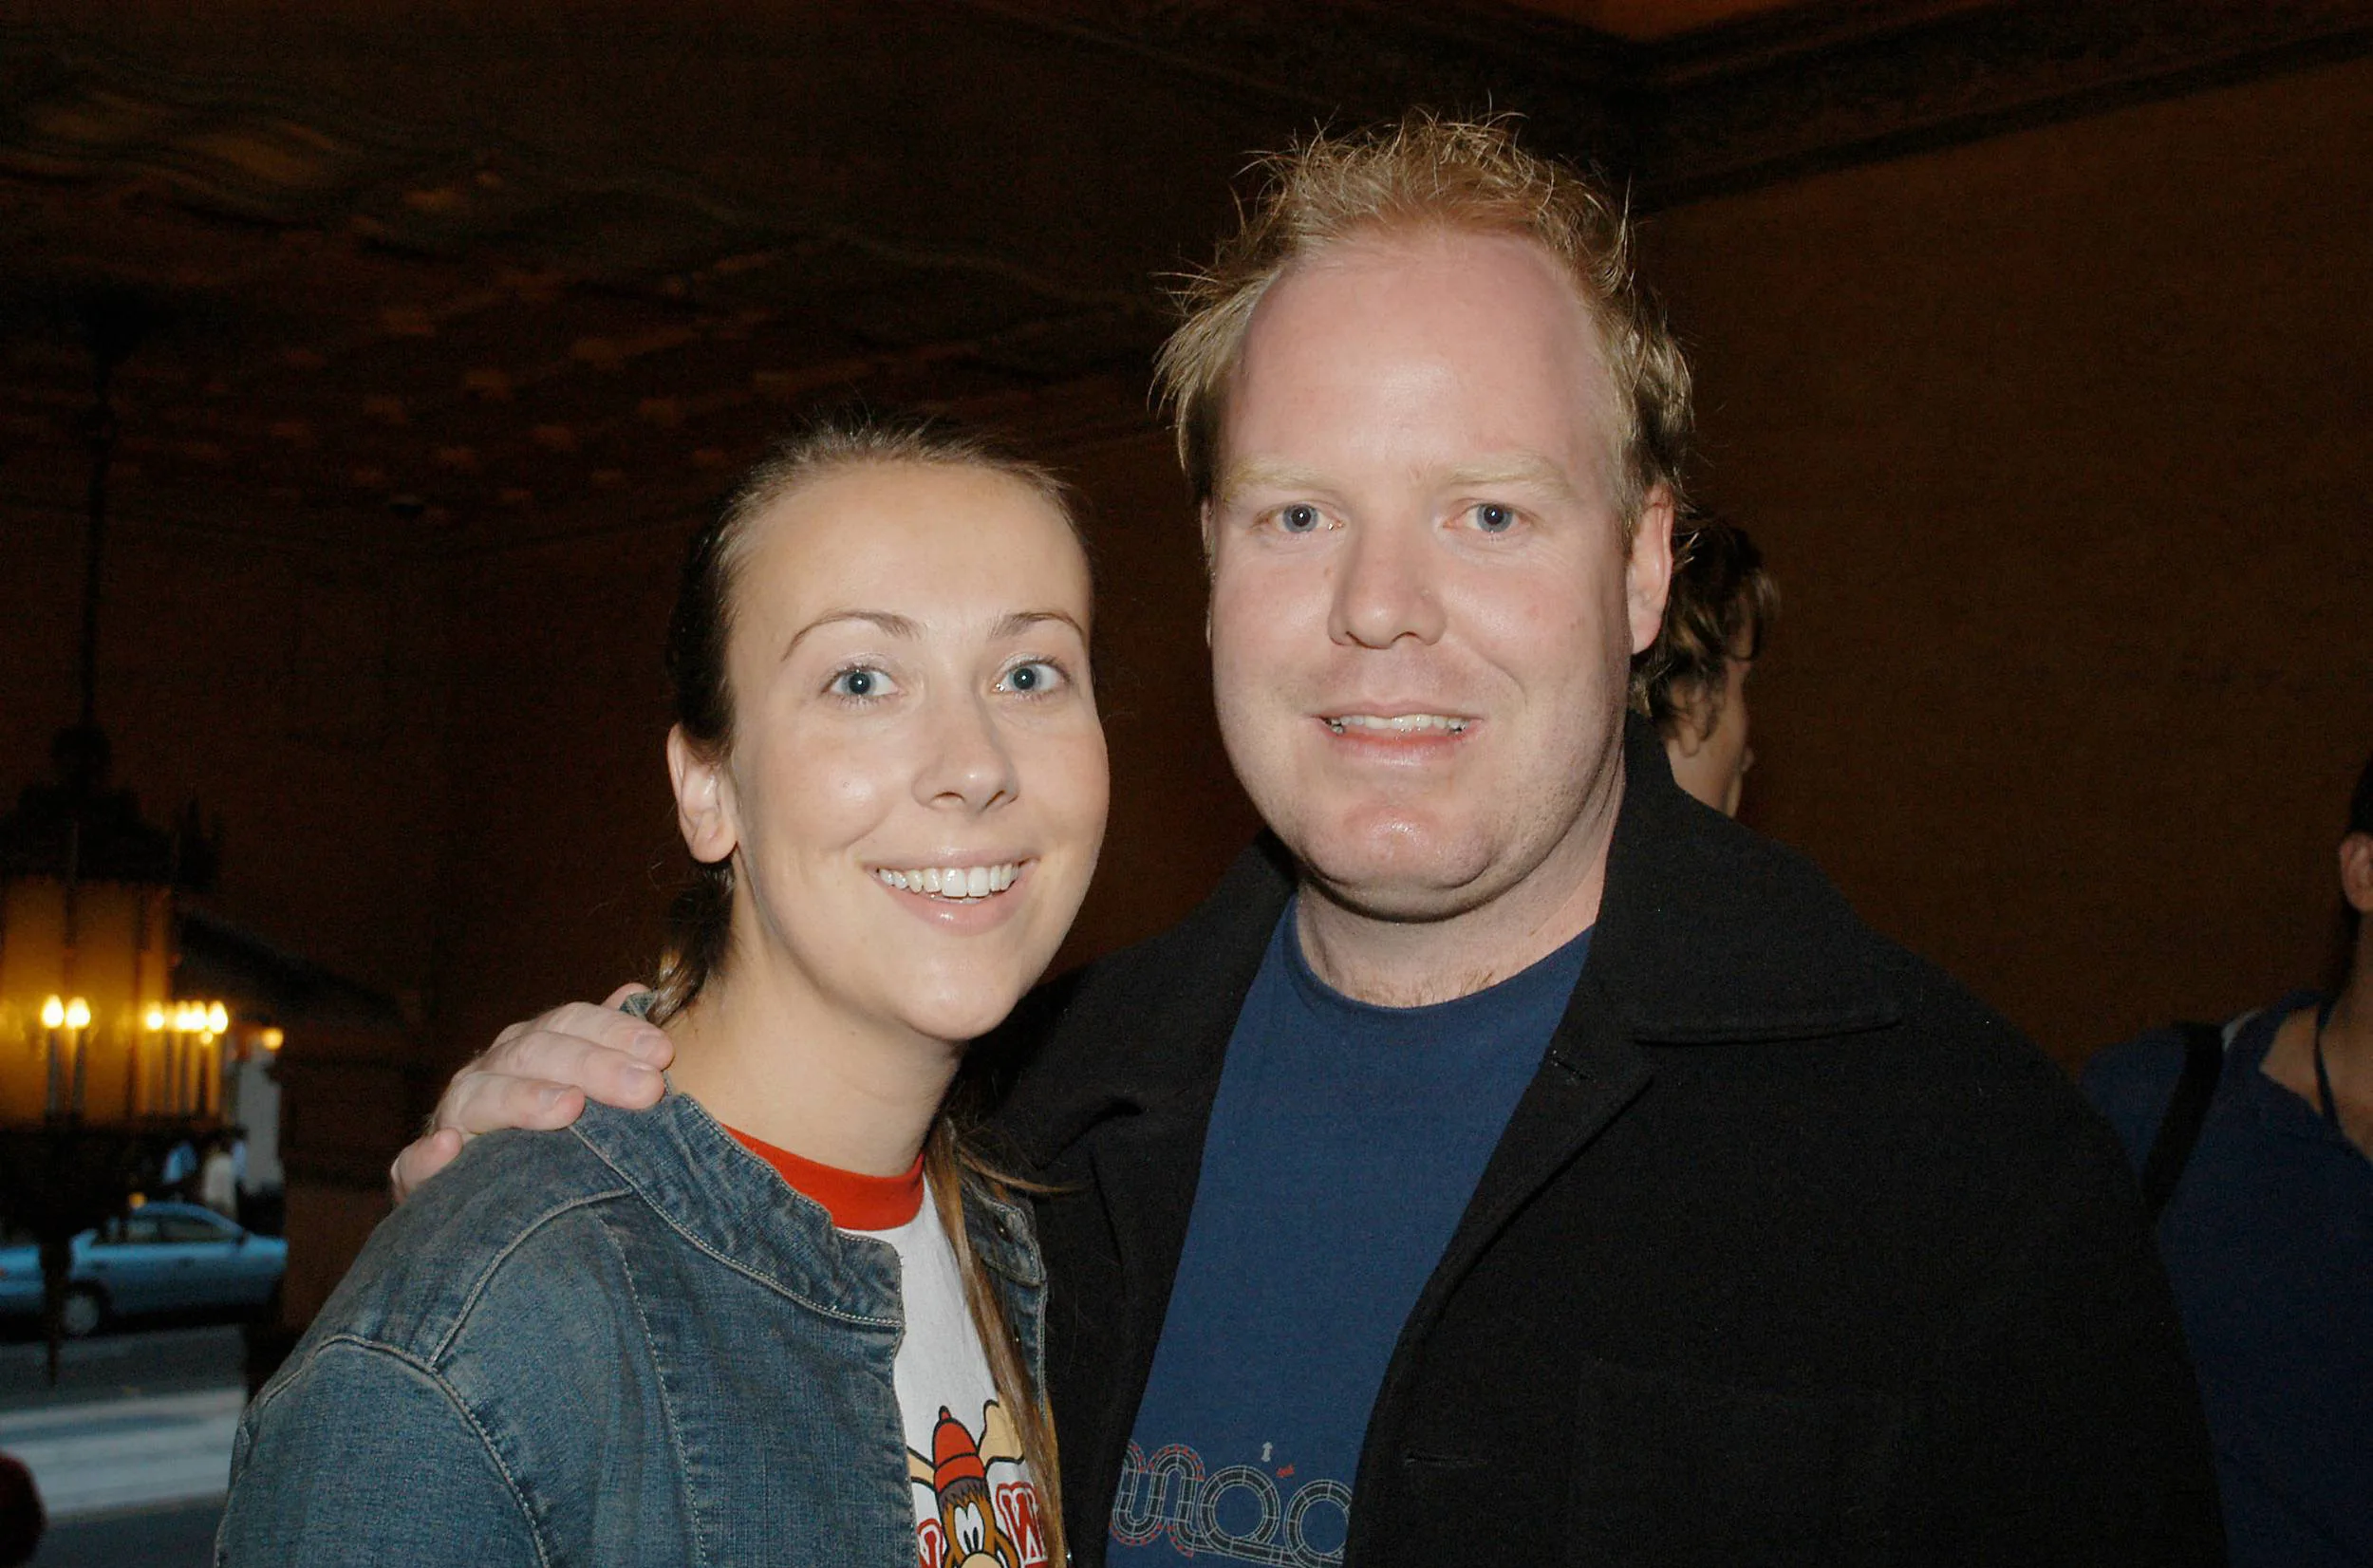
point(621, 1344)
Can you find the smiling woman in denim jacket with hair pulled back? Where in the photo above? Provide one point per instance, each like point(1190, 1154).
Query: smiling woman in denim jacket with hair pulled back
point(777, 1318)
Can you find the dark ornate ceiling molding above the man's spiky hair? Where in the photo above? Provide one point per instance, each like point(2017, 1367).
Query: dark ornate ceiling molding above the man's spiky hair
point(1729, 108)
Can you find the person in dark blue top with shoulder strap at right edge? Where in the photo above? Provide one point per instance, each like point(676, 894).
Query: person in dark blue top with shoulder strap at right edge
point(2256, 1145)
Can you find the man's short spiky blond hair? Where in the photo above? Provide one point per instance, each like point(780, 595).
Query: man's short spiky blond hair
point(1444, 174)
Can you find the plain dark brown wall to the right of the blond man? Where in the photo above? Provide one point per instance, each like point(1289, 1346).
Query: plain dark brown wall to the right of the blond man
point(2059, 447)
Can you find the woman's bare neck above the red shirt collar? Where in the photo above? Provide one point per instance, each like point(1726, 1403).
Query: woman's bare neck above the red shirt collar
point(772, 1059)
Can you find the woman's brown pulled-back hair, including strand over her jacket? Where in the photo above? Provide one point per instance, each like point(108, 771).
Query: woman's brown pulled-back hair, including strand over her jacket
point(701, 922)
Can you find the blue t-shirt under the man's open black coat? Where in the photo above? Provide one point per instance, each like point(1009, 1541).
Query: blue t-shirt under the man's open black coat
point(1342, 1152)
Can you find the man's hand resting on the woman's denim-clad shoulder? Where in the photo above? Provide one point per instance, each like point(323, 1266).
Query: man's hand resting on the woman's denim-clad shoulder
point(540, 1073)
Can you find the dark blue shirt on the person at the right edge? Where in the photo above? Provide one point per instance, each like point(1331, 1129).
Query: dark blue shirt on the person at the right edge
point(2270, 1247)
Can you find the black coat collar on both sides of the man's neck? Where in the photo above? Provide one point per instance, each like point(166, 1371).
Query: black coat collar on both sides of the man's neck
point(1707, 933)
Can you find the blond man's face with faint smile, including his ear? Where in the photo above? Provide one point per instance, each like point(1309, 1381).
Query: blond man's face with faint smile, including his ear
point(1423, 601)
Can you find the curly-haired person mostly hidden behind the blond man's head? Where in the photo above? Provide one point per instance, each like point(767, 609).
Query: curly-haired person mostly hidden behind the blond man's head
point(1693, 680)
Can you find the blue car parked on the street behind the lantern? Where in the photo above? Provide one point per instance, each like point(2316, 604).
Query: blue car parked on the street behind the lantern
point(160, 1258)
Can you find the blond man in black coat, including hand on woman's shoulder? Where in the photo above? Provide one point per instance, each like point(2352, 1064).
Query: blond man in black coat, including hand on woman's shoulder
point(1515, 1161)
